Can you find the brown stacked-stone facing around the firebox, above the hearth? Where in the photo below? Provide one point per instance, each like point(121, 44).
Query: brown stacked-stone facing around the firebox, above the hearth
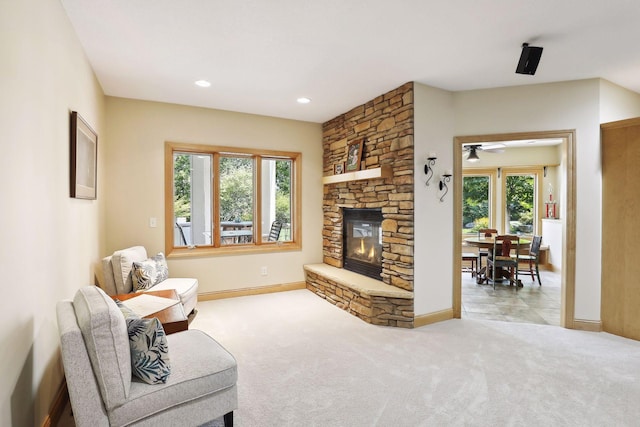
point(386, 124)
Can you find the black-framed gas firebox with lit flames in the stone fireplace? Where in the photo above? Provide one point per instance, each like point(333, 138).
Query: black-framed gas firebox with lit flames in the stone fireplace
point(362, 241)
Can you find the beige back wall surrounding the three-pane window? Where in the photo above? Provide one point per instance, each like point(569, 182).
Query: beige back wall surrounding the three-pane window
point(135, 185)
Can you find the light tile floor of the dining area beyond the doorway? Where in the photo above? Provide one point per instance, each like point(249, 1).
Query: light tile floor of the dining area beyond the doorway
point(529, 304)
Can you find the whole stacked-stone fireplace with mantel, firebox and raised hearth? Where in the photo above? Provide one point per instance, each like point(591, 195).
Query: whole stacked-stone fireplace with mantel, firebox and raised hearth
point(385, 125)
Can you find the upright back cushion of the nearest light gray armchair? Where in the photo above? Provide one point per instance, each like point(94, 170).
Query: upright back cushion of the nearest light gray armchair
point(105, 335)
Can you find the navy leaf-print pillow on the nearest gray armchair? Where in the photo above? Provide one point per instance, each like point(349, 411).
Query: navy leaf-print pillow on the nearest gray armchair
point(149, 350)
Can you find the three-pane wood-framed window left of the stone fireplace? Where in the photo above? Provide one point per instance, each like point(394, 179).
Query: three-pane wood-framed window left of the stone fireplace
point(224, 199)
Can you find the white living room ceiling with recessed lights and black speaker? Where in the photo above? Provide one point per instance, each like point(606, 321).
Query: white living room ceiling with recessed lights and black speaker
point(260, 56)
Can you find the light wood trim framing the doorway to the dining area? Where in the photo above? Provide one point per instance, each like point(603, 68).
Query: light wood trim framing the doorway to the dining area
point(568, 211)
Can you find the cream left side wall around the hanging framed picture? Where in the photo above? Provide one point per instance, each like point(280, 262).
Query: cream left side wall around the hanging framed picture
point(49, 241)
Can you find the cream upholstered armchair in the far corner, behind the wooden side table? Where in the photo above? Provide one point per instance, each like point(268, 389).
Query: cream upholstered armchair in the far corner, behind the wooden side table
point(117, 277)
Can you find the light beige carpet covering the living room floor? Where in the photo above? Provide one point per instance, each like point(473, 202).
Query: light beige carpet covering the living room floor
point(304, 362)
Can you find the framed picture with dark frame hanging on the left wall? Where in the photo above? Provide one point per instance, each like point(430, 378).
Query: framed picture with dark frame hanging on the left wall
point(83, 165)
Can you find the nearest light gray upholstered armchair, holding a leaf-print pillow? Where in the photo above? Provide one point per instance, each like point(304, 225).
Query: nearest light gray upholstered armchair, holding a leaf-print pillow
point(97, 363)
